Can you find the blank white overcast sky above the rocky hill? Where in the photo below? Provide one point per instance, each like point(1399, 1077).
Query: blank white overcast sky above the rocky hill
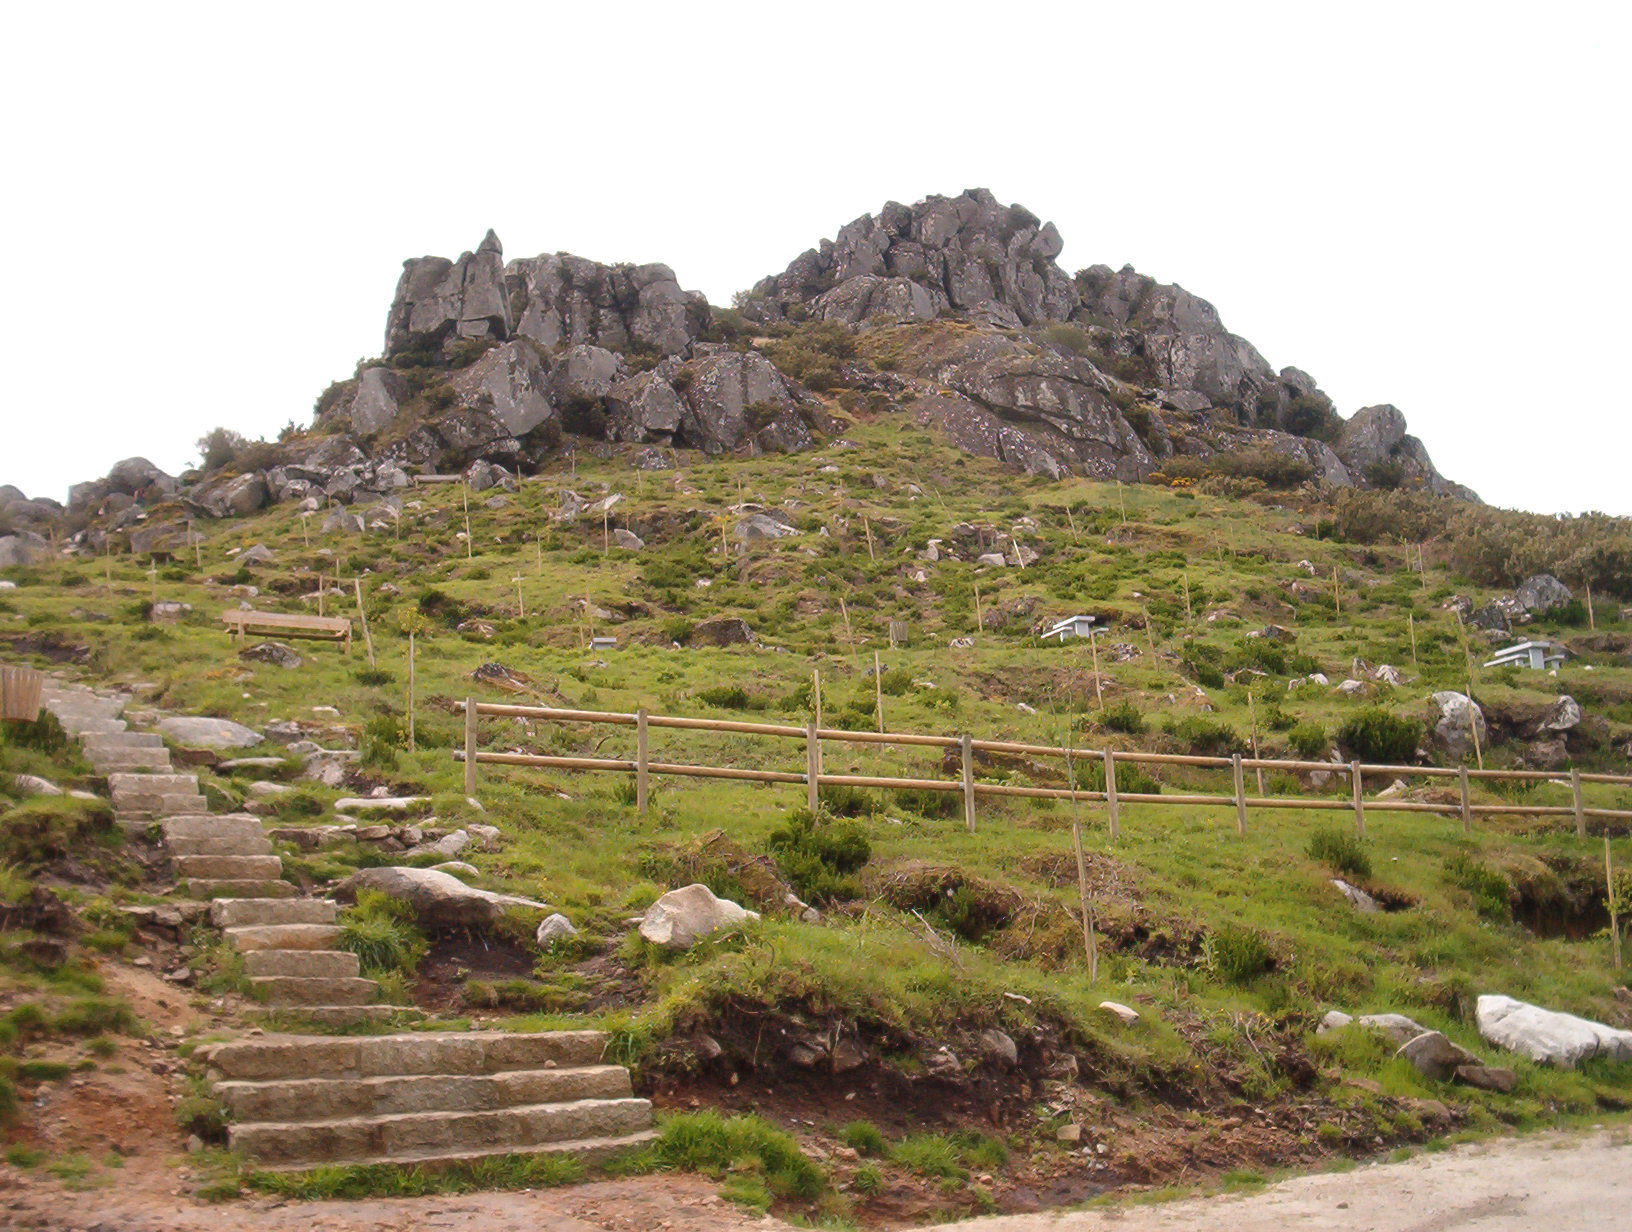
point(1424, 205)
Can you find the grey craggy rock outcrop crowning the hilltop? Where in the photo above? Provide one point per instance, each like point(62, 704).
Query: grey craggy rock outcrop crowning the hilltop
point(954, 311)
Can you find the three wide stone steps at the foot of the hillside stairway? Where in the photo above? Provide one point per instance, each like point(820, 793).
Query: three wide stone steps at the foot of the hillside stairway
point(301, 1102)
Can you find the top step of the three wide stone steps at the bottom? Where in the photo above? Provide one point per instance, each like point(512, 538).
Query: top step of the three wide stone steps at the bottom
point(316, 1057)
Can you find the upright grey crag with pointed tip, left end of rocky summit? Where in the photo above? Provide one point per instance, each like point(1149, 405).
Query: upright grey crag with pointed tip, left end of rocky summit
point(441, 301)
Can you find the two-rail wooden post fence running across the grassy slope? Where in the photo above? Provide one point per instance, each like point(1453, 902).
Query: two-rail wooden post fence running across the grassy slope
point(814, 778)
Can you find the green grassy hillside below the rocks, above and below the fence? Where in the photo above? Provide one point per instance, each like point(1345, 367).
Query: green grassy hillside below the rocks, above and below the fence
point(575, 843)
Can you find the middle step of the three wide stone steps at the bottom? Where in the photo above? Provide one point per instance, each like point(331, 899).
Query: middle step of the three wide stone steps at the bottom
point(313, 1101)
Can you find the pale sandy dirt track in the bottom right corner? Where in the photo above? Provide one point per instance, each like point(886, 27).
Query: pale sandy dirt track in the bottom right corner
point(1553, 1184)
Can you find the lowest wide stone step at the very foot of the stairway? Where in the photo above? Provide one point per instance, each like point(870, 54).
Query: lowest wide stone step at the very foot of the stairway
point(438, 1133)
